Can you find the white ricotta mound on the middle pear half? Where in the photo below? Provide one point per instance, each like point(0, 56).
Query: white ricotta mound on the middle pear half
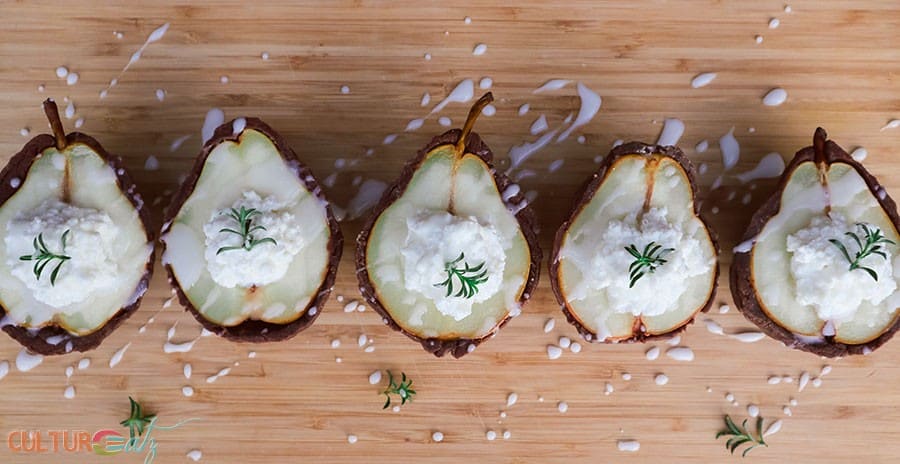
point(437, 242)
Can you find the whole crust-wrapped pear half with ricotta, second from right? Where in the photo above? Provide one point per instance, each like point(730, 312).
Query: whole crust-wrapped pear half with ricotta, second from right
point(643, 197)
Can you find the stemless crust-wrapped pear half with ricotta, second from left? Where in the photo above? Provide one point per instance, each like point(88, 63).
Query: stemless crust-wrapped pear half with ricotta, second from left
point(251, 246)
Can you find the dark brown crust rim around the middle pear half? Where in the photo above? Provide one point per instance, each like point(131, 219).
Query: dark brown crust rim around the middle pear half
point(457, 347)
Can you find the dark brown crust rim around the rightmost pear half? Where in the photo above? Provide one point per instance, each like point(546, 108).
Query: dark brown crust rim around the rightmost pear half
point(743, 291)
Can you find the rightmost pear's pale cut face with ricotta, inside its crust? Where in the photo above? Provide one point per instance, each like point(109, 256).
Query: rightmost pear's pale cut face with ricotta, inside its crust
point(802, 278)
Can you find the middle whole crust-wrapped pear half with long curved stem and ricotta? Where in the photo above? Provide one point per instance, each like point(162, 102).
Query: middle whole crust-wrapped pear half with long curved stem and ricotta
point(449, 254)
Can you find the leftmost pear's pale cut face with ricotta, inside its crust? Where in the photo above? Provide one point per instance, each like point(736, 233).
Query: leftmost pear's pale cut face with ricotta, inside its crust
point(71, 189)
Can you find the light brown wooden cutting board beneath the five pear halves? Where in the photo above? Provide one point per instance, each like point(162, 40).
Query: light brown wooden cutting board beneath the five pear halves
point(293, 402)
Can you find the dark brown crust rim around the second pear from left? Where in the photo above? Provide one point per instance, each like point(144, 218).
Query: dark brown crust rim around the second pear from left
point(257, 331)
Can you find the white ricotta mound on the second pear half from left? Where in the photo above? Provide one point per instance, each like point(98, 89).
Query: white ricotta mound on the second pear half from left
point(265, 262)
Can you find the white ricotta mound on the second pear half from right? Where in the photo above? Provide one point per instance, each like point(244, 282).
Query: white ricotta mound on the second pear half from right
point(604, 263)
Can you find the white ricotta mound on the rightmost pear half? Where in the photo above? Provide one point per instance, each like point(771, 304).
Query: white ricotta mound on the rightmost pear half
point(822, 275)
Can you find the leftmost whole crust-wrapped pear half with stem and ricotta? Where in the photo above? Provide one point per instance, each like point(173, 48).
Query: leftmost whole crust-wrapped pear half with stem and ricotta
point(76, 254)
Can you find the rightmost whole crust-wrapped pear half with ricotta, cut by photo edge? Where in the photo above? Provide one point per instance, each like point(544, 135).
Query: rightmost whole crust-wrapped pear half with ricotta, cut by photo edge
point(791, 277)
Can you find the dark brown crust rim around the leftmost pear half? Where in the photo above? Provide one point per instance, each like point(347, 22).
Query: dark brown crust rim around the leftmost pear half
point(18, 167)
